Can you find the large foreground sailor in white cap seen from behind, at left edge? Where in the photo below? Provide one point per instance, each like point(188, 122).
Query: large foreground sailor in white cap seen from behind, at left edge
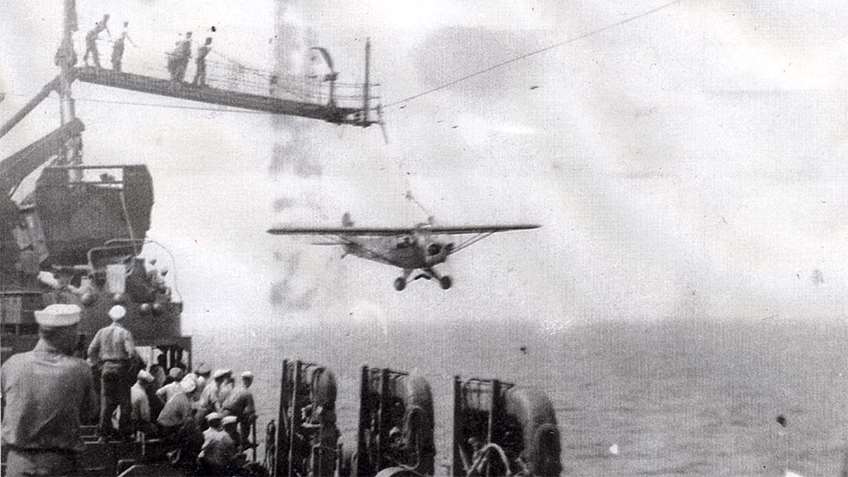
point(46, 394)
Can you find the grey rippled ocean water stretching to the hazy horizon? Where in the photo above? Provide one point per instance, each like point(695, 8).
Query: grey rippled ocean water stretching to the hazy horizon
point(675, 397)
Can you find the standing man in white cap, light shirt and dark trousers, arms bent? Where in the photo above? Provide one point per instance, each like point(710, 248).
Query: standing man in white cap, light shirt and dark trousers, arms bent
point(113, 349)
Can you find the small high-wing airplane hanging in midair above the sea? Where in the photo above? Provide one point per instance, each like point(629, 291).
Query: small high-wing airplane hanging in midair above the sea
point(410, 249)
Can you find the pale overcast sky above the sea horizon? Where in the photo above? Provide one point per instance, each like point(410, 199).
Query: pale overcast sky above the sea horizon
point(688, 164)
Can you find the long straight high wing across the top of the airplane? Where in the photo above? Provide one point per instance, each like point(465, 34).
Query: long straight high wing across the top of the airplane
point(394, 231)
